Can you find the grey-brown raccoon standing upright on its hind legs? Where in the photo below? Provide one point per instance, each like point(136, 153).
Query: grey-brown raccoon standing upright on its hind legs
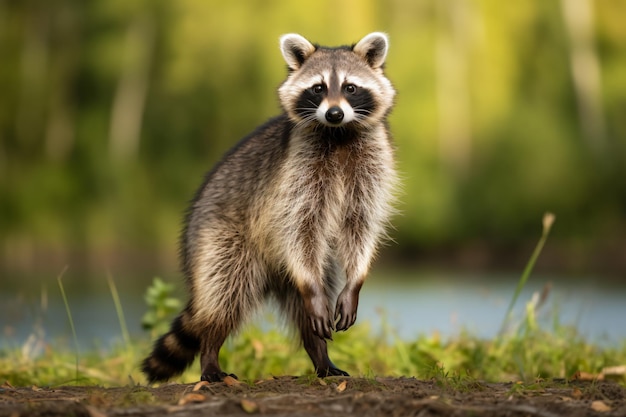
point(294, 212)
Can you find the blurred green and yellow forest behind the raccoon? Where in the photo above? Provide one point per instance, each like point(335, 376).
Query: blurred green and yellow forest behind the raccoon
point(112, 111)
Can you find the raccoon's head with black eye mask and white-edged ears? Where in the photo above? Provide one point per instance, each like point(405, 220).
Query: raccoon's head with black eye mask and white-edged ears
point(336, 87)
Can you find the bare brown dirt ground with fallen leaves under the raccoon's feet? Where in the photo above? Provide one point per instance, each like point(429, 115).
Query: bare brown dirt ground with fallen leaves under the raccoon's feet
point(290, 396)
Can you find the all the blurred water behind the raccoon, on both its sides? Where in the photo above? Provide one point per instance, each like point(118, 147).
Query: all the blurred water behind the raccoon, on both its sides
point(422, 304)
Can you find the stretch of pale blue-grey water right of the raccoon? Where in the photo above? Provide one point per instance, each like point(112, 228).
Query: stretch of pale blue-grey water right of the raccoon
point(449, 304)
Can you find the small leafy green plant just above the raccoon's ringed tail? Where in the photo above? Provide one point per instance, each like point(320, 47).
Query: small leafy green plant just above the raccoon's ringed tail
point(162, 305)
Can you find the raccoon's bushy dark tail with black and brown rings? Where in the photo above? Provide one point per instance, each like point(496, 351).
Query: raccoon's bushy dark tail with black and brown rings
point(173, 352)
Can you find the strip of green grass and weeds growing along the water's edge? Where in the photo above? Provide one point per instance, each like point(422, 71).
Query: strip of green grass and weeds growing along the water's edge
point(524, 350)
